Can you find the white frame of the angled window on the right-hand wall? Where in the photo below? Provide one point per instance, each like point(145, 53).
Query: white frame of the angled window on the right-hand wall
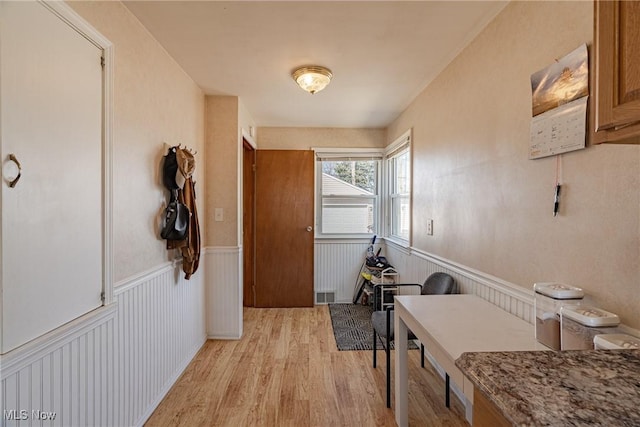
point(402, 145)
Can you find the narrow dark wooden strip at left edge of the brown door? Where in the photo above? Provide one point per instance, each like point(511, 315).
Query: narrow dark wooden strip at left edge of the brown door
point(248, 224)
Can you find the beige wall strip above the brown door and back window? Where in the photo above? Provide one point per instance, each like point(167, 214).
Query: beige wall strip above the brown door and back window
point(279, 138)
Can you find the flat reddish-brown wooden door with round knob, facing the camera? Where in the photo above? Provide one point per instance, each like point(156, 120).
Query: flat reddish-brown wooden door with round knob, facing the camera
point(284, 228)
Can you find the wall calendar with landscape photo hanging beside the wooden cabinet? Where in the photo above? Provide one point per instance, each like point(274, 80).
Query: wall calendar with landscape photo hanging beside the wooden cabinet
point(559, 106)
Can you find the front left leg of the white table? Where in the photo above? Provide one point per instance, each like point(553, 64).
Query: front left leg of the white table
point(401, 369)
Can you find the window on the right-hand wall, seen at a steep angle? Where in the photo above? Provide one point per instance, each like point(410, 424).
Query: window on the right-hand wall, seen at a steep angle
point(398, 173)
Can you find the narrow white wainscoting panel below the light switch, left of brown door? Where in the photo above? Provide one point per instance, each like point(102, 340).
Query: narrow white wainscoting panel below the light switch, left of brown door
point(224, 294)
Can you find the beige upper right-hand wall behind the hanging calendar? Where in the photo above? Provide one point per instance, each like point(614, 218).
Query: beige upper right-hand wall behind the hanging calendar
point(491, 206)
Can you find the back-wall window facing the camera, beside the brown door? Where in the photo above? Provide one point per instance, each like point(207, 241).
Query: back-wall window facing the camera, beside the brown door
point(348, 193)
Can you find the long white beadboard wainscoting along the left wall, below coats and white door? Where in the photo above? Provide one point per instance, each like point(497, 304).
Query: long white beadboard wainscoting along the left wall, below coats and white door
point(116, 369)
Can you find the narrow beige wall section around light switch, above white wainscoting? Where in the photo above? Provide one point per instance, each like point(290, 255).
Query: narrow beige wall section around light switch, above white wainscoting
point(222, 129)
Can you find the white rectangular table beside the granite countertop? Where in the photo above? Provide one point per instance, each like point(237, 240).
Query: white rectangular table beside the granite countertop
point(449, 325)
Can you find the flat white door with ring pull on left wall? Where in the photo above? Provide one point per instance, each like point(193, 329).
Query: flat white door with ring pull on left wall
point(51, 121)
